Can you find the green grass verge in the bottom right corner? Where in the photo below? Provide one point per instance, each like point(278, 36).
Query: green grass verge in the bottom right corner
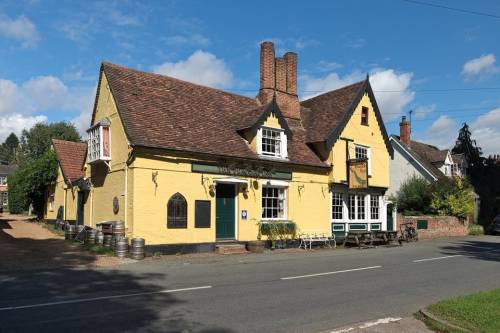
point(477, 312)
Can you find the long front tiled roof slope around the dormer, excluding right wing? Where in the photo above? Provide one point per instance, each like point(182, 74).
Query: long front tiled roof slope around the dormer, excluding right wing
point(163, 112)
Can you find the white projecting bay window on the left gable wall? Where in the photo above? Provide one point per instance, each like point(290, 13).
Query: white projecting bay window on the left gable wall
point(99, 145)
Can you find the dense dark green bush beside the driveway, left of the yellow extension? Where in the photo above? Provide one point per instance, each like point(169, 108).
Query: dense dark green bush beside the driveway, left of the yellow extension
point(28, 184)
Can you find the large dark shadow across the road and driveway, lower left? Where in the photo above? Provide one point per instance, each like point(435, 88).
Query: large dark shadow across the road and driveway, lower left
point(28, 283)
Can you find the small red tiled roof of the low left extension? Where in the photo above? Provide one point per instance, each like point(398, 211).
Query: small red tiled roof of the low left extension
point(71, 157)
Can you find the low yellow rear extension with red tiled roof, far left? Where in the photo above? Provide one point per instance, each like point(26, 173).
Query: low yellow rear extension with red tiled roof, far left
point(62, 197)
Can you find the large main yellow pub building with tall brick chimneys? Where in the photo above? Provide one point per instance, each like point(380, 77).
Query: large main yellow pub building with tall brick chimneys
point(181, 163)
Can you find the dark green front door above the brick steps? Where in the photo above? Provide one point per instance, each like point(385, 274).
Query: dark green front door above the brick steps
point(224, 211)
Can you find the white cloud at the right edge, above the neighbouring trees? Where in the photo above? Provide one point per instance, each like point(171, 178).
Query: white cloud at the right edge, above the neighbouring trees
point(486, 131)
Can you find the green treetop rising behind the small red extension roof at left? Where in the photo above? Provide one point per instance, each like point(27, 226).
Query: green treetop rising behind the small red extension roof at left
point(36, 141)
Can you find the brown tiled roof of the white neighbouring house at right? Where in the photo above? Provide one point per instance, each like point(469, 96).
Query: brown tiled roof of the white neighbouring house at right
point(425, 154)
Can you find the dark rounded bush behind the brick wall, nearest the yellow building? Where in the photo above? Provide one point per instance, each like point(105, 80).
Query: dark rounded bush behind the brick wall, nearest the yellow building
point(414, 196)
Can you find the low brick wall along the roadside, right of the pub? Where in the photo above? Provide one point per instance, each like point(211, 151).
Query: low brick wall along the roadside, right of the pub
point(437, 226)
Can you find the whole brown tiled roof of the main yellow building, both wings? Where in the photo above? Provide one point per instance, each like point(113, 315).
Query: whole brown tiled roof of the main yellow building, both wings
point(158, 111)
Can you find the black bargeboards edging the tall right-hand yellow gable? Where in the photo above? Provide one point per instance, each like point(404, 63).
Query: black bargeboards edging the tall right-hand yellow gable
point(366, 87)
